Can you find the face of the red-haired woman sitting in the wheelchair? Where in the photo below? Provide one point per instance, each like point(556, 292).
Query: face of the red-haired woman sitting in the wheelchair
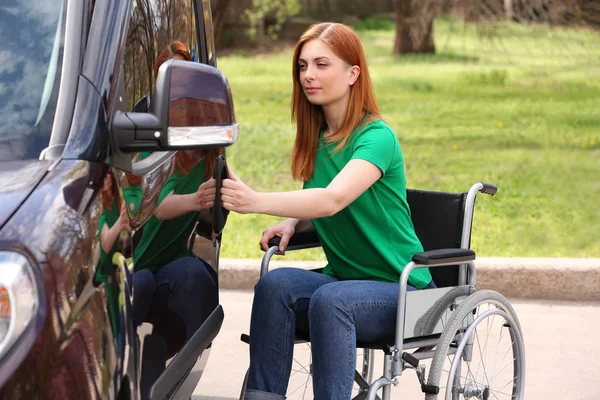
point(325, 78)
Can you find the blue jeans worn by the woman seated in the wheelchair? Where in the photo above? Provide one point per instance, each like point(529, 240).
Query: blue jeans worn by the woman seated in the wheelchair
point(336, 313)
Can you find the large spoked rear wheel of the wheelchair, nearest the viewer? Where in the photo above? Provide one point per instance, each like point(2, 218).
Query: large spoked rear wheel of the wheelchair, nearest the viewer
point(481, 352)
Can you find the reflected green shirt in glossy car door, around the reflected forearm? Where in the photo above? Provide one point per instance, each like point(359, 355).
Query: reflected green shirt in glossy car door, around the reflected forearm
point(166, 241)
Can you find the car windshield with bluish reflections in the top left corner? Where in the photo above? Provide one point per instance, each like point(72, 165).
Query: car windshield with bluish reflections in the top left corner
point(30, 67)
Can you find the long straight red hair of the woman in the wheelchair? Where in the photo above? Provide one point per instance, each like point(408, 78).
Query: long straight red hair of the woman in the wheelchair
point(309, 118)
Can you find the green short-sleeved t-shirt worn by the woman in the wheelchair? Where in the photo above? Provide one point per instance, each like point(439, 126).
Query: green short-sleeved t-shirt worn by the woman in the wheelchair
point(373, 238)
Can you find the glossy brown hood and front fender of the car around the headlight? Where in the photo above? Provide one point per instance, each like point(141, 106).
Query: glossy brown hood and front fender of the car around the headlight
point(59, 224)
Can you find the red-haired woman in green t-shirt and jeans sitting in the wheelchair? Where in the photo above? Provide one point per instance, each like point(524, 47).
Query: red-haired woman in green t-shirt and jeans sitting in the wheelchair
point(355, 195)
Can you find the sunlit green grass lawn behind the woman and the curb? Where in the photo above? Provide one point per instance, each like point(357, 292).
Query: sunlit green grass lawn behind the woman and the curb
point(515, 106)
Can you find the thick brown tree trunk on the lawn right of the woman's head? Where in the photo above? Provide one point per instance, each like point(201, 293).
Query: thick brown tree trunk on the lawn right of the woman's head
point(414, 28)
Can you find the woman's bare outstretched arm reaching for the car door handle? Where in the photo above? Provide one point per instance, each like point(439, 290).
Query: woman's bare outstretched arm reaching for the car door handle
point(352, 181)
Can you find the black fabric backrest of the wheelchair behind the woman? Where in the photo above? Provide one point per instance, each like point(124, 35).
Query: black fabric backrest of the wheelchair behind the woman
point(438, 221)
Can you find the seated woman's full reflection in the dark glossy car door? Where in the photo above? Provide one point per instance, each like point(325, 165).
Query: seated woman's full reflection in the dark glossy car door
point(169, 280)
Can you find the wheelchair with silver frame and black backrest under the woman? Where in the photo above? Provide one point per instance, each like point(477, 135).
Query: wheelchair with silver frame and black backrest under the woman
point(473, 338)
